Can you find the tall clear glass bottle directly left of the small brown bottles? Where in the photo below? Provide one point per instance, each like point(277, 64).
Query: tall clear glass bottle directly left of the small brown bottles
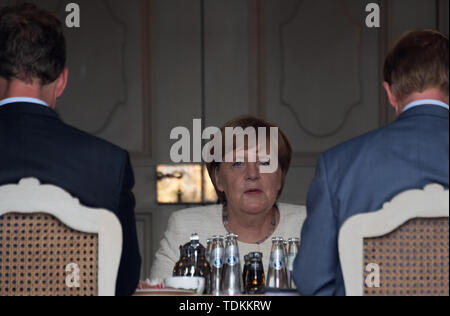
point(231, 281)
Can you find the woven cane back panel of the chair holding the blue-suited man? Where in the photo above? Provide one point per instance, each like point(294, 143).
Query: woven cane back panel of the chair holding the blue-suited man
point(413, 260)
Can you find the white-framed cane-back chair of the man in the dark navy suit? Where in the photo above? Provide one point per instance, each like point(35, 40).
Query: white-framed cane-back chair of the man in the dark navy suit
point(51, 245)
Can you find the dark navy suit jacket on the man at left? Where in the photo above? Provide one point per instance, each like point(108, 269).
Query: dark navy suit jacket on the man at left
point(34, 142)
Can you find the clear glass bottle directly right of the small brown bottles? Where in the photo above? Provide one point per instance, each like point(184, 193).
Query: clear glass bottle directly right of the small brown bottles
point(277, 274)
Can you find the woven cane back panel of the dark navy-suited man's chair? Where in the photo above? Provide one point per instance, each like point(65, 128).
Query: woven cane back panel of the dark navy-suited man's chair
point(35, 250)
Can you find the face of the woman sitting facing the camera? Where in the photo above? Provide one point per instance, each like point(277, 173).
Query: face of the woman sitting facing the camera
point(246, 188)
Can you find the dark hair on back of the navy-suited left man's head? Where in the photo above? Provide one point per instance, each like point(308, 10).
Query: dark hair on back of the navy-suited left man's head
point(32, 45)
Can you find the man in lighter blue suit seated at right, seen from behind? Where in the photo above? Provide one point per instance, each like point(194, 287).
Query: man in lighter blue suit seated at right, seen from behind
point(361, 174)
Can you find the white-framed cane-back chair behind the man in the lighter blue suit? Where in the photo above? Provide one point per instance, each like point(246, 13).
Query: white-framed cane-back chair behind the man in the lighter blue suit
point(401, 250)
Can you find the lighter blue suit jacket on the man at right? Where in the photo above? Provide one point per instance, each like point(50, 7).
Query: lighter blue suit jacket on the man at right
point(358, 177)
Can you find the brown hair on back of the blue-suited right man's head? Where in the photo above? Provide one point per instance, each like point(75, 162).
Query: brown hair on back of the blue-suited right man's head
point(418, 61)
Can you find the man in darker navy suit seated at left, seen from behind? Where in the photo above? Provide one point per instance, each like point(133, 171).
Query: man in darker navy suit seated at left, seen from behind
point(34, 142)
